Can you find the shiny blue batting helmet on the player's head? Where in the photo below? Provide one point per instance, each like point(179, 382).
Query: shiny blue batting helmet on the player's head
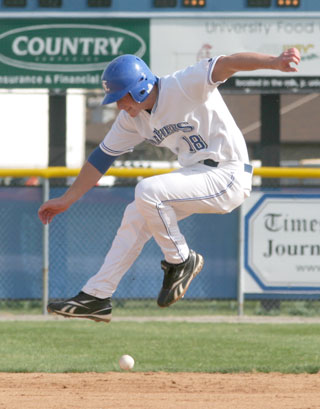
point(127, 74)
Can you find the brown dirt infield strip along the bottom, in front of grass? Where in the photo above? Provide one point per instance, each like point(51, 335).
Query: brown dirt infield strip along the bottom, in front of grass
point(159, 390)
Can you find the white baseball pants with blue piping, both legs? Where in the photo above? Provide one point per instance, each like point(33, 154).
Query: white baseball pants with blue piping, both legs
point(160, 202)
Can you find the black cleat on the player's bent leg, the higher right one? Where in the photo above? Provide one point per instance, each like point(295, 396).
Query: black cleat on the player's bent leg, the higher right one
point(177, 278)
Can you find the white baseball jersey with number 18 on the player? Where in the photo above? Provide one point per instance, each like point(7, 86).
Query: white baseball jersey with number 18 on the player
point(189, 117)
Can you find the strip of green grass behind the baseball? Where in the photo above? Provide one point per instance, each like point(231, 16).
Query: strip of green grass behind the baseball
point(78, 346)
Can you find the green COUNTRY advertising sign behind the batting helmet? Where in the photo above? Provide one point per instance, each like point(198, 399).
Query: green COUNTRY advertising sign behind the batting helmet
point(66, 53)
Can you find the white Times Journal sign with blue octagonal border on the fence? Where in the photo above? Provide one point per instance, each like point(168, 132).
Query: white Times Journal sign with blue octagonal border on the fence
point(282, 243)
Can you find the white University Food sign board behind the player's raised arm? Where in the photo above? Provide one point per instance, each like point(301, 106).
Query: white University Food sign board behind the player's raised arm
point(177, 43)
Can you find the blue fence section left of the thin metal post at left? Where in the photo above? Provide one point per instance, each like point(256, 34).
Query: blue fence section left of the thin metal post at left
point(20, 243)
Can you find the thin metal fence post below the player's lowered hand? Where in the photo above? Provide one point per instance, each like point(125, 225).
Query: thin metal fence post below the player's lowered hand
point(45, 250)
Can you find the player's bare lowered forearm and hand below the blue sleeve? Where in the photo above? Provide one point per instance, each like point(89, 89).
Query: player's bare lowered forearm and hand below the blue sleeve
point(87, 178)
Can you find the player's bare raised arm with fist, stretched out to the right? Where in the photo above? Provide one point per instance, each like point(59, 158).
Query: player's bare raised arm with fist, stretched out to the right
point(226, 66)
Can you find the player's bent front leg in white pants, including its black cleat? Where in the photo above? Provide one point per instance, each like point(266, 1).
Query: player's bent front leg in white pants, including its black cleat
point(165, 199)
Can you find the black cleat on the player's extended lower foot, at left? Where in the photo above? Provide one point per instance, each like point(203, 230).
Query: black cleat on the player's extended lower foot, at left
point(83, 306)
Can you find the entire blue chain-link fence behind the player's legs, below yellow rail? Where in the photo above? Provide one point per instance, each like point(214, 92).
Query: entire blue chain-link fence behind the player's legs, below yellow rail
point(80, 238)
